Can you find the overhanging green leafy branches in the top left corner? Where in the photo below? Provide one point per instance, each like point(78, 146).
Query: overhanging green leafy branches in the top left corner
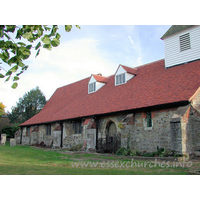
point(16, 43)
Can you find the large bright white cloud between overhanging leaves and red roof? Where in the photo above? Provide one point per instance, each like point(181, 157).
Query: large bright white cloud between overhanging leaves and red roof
point(70, 62)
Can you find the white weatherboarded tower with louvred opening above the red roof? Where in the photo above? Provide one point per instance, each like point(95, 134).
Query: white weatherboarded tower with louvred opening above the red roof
point(182, 44)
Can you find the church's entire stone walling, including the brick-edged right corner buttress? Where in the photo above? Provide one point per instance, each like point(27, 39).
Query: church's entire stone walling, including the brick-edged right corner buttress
point(175, 129)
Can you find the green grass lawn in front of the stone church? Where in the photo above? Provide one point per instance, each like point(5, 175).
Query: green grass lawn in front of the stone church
point(25, 160)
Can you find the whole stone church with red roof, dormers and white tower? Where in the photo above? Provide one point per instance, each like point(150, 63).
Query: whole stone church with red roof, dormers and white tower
point(153, 106)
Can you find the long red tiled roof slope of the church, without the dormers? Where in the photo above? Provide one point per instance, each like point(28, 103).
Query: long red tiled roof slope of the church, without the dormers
point(153, 85)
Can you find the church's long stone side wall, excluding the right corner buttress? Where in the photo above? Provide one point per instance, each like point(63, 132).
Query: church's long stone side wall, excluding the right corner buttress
point(131, 127)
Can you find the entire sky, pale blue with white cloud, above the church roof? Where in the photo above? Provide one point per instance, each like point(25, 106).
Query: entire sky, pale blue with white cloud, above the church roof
point(92, 49)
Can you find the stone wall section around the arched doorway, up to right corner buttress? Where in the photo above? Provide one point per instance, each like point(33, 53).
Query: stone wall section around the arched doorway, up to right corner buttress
point(137, 135)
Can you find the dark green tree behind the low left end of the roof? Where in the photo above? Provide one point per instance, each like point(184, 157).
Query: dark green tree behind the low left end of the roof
point(28, 106)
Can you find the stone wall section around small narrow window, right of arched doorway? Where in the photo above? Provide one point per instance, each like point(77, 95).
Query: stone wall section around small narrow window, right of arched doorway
point(150, 139)
